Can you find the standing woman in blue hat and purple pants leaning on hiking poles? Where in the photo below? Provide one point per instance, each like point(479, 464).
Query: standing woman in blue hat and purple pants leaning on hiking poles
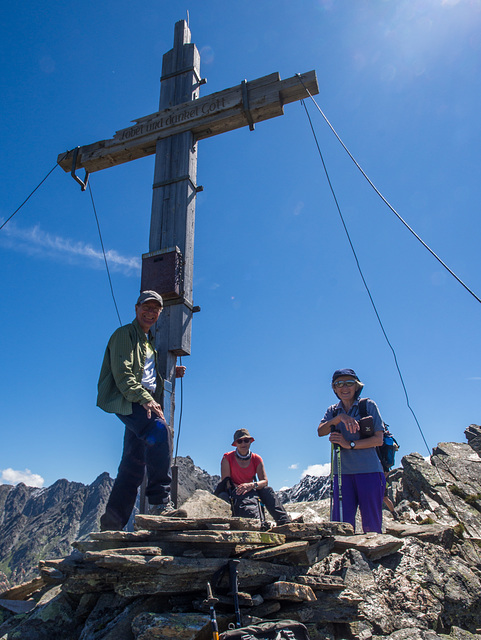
point(362, 478)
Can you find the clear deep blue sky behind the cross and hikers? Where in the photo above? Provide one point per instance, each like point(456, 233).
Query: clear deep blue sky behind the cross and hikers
point(282, 302)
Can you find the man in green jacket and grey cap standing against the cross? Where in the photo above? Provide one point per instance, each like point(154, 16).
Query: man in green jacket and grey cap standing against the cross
point(130, 386)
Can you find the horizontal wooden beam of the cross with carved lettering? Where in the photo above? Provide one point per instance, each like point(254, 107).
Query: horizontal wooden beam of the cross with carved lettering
point(205, 117)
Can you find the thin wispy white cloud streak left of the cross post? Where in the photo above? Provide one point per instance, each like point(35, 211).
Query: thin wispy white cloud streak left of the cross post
point(35, 242)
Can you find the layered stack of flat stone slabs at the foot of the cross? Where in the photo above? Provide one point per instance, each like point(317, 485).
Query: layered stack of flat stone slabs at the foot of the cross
point(278, 570)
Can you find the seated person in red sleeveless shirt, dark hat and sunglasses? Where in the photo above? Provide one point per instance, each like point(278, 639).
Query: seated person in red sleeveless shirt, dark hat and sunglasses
point(240, 486)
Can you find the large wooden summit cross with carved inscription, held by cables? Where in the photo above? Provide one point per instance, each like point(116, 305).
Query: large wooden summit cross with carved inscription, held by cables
point(172, 134)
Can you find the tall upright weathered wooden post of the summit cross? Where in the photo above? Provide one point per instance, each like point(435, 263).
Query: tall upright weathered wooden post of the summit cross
point(173, 206)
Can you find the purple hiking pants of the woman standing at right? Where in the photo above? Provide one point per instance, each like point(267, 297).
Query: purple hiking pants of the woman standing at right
point(363, 490)
